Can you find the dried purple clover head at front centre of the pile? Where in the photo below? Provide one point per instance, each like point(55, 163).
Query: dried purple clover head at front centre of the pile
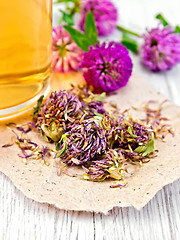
point(83, 142)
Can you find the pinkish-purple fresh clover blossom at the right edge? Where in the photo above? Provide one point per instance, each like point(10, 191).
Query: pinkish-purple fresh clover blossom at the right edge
point(161, 49)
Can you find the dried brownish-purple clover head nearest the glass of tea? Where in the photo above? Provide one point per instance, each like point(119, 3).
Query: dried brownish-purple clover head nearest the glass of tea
point(59, 110)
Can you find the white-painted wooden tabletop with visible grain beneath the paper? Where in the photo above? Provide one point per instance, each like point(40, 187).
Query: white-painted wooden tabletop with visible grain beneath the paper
point(22, 218)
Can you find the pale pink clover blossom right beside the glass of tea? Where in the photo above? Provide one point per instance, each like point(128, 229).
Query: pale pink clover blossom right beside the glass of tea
point(66, 53)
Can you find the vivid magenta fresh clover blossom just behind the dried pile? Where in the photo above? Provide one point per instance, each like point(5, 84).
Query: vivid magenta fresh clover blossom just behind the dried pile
point(108, 67)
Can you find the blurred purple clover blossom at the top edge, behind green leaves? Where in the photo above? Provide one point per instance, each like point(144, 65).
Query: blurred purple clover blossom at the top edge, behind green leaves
point(105, 14)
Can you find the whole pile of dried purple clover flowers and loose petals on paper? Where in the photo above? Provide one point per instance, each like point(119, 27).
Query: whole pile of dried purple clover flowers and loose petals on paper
point(104, 143)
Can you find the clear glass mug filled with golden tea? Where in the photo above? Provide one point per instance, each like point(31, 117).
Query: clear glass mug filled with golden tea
point(25, 53)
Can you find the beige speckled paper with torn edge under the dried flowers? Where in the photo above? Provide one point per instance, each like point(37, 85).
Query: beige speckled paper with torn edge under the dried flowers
point(41, 183)
